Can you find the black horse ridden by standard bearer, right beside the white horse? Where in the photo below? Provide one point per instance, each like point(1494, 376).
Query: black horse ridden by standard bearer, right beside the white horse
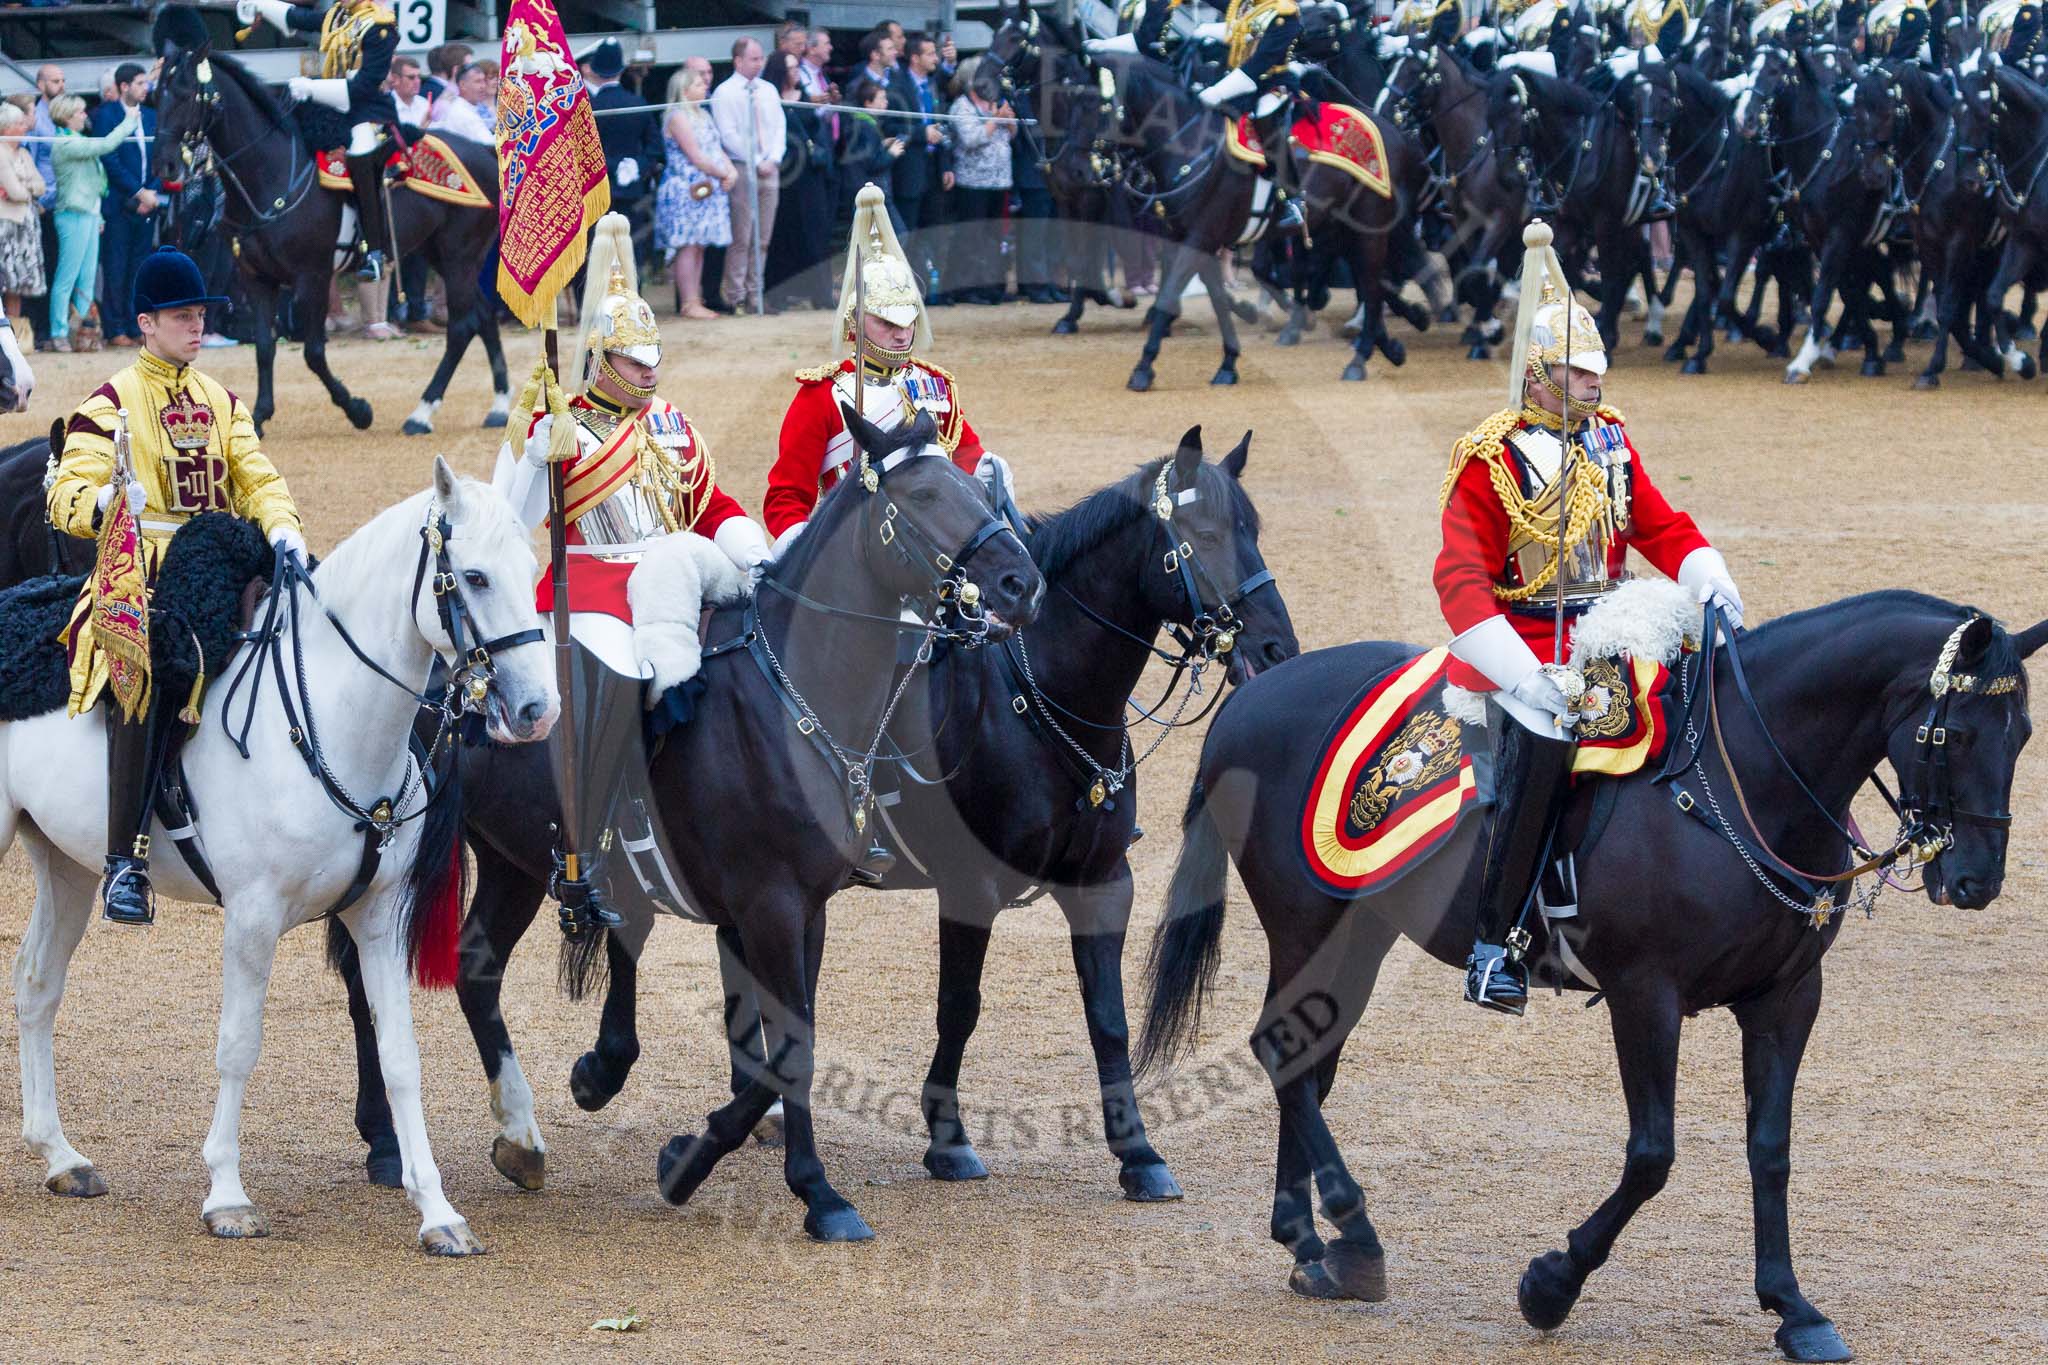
point(761, 793)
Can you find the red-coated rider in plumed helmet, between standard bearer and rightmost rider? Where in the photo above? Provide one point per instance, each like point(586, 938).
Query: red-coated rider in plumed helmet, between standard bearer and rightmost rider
point(816, 449)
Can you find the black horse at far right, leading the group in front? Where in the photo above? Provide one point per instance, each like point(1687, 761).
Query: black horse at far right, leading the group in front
point(1676, 912)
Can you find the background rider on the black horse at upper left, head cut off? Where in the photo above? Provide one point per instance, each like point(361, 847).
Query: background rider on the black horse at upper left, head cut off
point(357, 40)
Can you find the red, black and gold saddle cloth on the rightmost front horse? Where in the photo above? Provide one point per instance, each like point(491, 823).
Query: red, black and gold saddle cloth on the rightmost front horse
point(1398, 777)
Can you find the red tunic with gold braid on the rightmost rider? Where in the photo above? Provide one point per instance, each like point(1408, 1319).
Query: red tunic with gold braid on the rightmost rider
point(1486, 568)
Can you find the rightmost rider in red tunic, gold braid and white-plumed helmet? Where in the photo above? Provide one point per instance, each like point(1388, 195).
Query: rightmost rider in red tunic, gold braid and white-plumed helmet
point(1498, 582)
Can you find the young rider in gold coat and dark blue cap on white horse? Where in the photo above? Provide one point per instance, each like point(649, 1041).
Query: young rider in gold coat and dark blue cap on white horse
point(196, 449)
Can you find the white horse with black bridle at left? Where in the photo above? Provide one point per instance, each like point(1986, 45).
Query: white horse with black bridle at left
point(275, 834)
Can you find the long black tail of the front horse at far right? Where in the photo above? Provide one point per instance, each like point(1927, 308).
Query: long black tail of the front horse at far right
point(1189, 942)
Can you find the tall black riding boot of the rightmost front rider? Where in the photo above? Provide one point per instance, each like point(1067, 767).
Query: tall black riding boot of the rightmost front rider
point(1531, 777)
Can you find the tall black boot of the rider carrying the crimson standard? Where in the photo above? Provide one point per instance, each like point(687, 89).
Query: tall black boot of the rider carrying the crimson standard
point(611, 758)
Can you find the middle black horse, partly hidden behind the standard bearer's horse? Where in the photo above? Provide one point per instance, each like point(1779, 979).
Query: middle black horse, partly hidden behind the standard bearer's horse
point(1019, 775)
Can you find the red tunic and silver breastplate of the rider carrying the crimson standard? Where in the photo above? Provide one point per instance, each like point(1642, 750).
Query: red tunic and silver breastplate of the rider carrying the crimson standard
point(636, 478)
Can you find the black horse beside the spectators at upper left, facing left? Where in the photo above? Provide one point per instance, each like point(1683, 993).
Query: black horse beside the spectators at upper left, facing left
point(218, 122)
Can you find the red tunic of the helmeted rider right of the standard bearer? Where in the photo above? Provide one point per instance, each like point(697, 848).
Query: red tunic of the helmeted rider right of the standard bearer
point(816, 449)
